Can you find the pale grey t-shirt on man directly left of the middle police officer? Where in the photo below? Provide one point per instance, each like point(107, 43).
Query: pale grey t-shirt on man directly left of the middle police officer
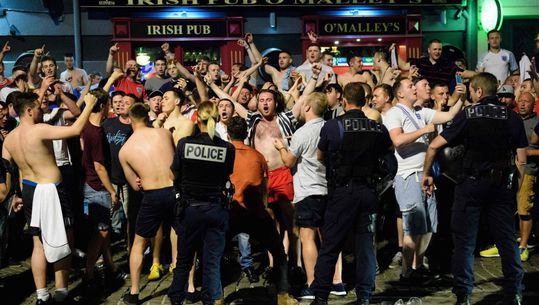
point(310, 177)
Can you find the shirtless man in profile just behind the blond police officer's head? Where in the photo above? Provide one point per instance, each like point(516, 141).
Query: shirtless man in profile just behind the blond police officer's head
point(171, 117)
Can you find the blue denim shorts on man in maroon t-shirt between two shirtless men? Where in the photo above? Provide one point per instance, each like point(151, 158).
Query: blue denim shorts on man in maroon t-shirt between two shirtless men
point(99, 207)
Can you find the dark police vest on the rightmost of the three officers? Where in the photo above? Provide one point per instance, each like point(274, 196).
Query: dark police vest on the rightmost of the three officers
point(487, 138)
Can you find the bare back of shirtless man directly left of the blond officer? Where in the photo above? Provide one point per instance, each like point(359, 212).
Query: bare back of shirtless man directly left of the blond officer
point(148, 155)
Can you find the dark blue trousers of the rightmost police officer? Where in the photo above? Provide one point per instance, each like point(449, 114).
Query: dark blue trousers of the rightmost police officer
point(498, 205)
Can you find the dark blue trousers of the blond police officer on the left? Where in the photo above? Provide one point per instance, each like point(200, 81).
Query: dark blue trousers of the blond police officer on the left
point(206, 225)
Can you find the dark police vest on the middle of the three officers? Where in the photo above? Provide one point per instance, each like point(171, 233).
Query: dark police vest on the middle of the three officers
point(358, 155)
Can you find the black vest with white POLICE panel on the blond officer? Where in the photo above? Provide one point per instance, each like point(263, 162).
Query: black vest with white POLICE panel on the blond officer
point(205, 166)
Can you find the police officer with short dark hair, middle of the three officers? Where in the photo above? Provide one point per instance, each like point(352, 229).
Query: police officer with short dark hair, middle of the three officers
point(350, 145)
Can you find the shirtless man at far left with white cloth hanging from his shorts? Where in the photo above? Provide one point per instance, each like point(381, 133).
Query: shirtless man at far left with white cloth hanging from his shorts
point(30, 147)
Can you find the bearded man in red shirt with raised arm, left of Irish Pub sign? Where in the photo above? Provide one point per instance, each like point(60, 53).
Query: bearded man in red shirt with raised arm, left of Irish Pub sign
point(125, 80)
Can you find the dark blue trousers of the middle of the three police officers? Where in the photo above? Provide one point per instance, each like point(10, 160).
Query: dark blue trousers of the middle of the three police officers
point(350, 207)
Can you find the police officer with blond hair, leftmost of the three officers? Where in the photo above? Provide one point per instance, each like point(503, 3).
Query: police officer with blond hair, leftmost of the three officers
point(202, 166)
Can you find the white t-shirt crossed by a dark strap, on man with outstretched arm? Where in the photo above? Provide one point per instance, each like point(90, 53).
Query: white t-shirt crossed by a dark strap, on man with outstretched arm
point(410, 157)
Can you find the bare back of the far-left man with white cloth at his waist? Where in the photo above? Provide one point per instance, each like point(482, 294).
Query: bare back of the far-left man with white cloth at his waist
point(33, 155)
